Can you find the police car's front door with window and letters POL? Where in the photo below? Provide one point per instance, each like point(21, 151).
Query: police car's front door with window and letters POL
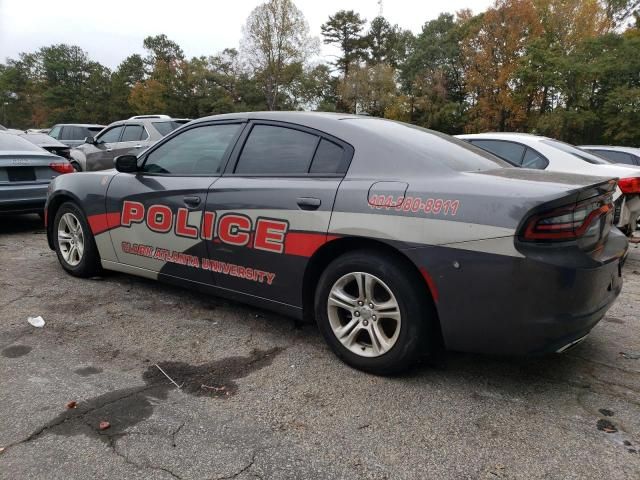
point(161, 206)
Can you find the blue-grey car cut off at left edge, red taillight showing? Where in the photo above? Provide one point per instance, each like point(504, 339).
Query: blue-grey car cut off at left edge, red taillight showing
point(25, 173)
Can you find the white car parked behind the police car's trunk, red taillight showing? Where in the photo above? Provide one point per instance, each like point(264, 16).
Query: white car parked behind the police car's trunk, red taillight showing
point(543, 153)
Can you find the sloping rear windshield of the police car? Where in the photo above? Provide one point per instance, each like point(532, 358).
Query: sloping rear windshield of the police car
point(452, 152)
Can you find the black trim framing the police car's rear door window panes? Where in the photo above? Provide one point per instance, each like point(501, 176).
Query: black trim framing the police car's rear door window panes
point(348, 152)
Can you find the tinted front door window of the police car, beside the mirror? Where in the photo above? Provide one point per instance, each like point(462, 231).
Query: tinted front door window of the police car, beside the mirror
point(197, 151)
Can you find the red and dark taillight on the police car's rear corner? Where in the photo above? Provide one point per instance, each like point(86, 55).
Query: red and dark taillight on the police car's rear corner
point(568, 223)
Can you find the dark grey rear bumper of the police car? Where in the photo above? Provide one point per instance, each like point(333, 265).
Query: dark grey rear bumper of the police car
point(513, 305)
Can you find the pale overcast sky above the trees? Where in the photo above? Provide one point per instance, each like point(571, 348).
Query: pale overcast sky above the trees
point(111, 30)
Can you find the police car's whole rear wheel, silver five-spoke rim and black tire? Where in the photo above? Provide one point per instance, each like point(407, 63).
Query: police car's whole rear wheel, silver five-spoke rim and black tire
point(373, 314)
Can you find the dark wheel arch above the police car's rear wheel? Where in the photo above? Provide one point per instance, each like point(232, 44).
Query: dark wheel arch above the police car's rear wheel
point(330, 250)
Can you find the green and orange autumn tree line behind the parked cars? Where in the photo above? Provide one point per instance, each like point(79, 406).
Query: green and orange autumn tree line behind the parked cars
point(569, 69)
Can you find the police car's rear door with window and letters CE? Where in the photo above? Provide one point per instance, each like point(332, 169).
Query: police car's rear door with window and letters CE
point(272, 208)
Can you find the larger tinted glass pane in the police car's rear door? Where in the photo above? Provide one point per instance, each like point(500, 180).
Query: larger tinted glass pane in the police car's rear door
point(273, 150)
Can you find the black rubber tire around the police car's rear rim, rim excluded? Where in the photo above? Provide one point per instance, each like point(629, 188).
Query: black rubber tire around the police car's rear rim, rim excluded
point(412, 300)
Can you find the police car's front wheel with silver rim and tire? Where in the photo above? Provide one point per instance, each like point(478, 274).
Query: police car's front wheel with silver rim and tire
point(74, 243)
